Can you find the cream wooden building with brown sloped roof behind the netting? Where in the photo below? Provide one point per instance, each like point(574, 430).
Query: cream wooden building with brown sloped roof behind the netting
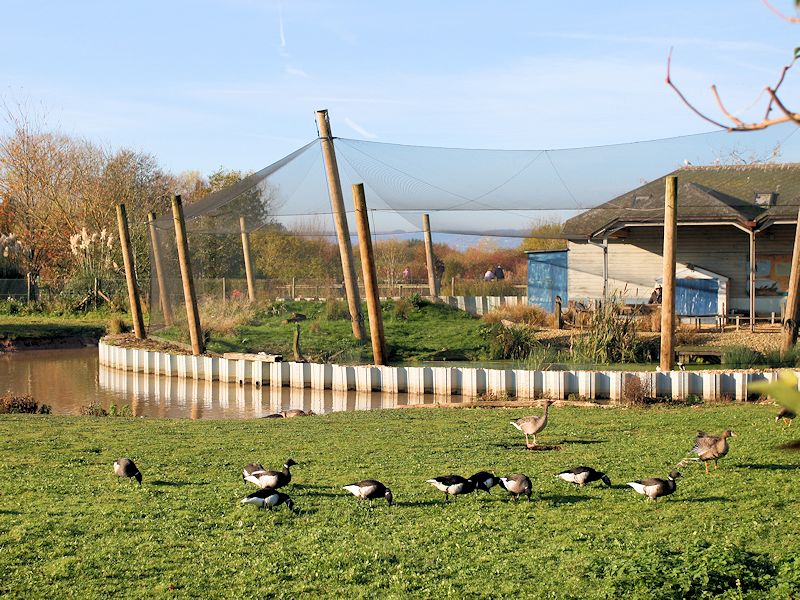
point(727, 216)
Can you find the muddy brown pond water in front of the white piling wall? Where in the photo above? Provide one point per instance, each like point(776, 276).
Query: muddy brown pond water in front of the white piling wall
point(70, 379)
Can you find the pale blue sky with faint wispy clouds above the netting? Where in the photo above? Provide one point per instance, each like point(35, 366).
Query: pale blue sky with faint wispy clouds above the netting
point(203, 84)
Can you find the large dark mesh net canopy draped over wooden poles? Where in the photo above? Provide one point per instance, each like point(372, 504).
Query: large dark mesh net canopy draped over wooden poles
point(603, 204)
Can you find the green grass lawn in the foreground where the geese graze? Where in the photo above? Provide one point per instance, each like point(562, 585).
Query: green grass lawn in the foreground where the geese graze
point(68, 528)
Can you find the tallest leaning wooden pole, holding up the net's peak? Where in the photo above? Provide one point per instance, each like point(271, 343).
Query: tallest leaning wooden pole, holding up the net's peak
point(342, 230)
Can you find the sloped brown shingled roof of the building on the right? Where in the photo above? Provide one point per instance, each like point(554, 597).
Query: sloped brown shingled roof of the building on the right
point(722, 194)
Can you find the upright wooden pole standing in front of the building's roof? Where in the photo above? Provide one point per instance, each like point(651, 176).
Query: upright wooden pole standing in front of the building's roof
point(668, 285)
